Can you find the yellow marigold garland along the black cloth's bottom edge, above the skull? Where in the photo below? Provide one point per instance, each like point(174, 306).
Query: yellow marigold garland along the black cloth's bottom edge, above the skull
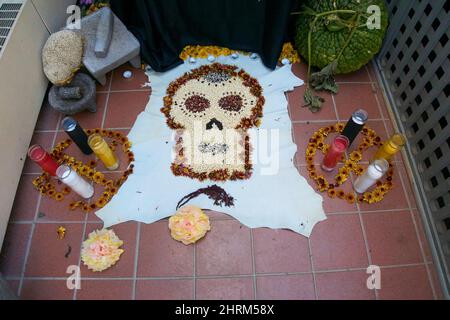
point(202, 52)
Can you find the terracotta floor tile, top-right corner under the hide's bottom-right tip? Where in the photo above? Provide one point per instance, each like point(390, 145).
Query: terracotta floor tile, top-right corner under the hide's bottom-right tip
point(280, 251)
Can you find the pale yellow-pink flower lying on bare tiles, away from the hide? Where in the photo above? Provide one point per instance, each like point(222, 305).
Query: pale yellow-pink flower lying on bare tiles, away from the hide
point(101, 250)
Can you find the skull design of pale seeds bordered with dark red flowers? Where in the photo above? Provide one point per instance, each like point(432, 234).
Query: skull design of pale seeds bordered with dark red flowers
point(211, 108)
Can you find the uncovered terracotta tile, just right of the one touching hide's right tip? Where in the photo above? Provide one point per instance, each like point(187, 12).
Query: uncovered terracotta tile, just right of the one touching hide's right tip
point(392, 239)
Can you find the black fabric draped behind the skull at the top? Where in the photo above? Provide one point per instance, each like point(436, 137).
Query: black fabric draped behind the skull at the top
point(165, 27)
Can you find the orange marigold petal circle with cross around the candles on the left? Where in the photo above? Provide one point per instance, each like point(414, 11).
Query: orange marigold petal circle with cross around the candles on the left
point(44, 184)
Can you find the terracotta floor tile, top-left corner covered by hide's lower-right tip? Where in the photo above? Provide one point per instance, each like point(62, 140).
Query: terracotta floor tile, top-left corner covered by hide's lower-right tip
point(338, 243)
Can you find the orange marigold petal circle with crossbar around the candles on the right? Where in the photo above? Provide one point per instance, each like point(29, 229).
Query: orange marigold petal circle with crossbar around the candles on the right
point(317, 142)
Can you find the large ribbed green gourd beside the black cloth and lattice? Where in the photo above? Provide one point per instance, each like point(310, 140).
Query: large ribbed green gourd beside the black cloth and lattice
point(336, 31)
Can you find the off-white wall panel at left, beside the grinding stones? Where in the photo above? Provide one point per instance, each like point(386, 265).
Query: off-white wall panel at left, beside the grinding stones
point(22, 89)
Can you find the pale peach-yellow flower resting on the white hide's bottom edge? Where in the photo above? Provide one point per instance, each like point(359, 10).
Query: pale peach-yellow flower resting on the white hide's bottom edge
point(189, 224)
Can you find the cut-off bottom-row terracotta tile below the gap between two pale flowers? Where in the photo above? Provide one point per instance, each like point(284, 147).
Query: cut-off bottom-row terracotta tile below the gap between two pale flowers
point(165, 290)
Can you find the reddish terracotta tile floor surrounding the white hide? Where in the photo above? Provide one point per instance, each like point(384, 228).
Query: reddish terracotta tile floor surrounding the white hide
point(232, 262)
